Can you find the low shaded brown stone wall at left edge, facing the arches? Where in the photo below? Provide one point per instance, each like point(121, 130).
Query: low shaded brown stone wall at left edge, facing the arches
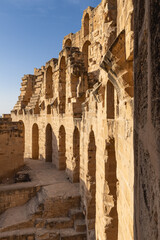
point(11, 147)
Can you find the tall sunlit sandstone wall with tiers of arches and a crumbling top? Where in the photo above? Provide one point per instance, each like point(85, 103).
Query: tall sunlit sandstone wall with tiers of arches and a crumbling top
point(78, 114)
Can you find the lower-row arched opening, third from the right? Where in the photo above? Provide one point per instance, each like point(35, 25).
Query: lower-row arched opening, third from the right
point(76, 155)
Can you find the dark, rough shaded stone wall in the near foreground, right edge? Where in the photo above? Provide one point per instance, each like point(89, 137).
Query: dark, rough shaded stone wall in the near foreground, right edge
point(147, 119)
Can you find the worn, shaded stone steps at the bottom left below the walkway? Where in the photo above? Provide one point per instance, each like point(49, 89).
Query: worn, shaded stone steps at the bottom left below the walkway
point(44, 217)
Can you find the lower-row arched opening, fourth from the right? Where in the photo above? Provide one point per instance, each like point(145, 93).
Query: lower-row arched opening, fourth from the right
point(62, 148)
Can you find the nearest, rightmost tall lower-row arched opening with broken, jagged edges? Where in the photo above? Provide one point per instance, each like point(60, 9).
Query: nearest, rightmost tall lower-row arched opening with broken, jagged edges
point(111, 191)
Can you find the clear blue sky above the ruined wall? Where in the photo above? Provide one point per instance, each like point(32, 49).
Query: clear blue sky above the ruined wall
point(31, 33)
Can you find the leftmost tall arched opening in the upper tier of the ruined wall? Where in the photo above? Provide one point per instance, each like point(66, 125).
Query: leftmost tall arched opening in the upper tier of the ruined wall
point(49, 83)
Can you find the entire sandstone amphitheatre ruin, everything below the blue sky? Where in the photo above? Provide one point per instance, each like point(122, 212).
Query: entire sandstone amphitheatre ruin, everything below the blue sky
point(83, 137)
